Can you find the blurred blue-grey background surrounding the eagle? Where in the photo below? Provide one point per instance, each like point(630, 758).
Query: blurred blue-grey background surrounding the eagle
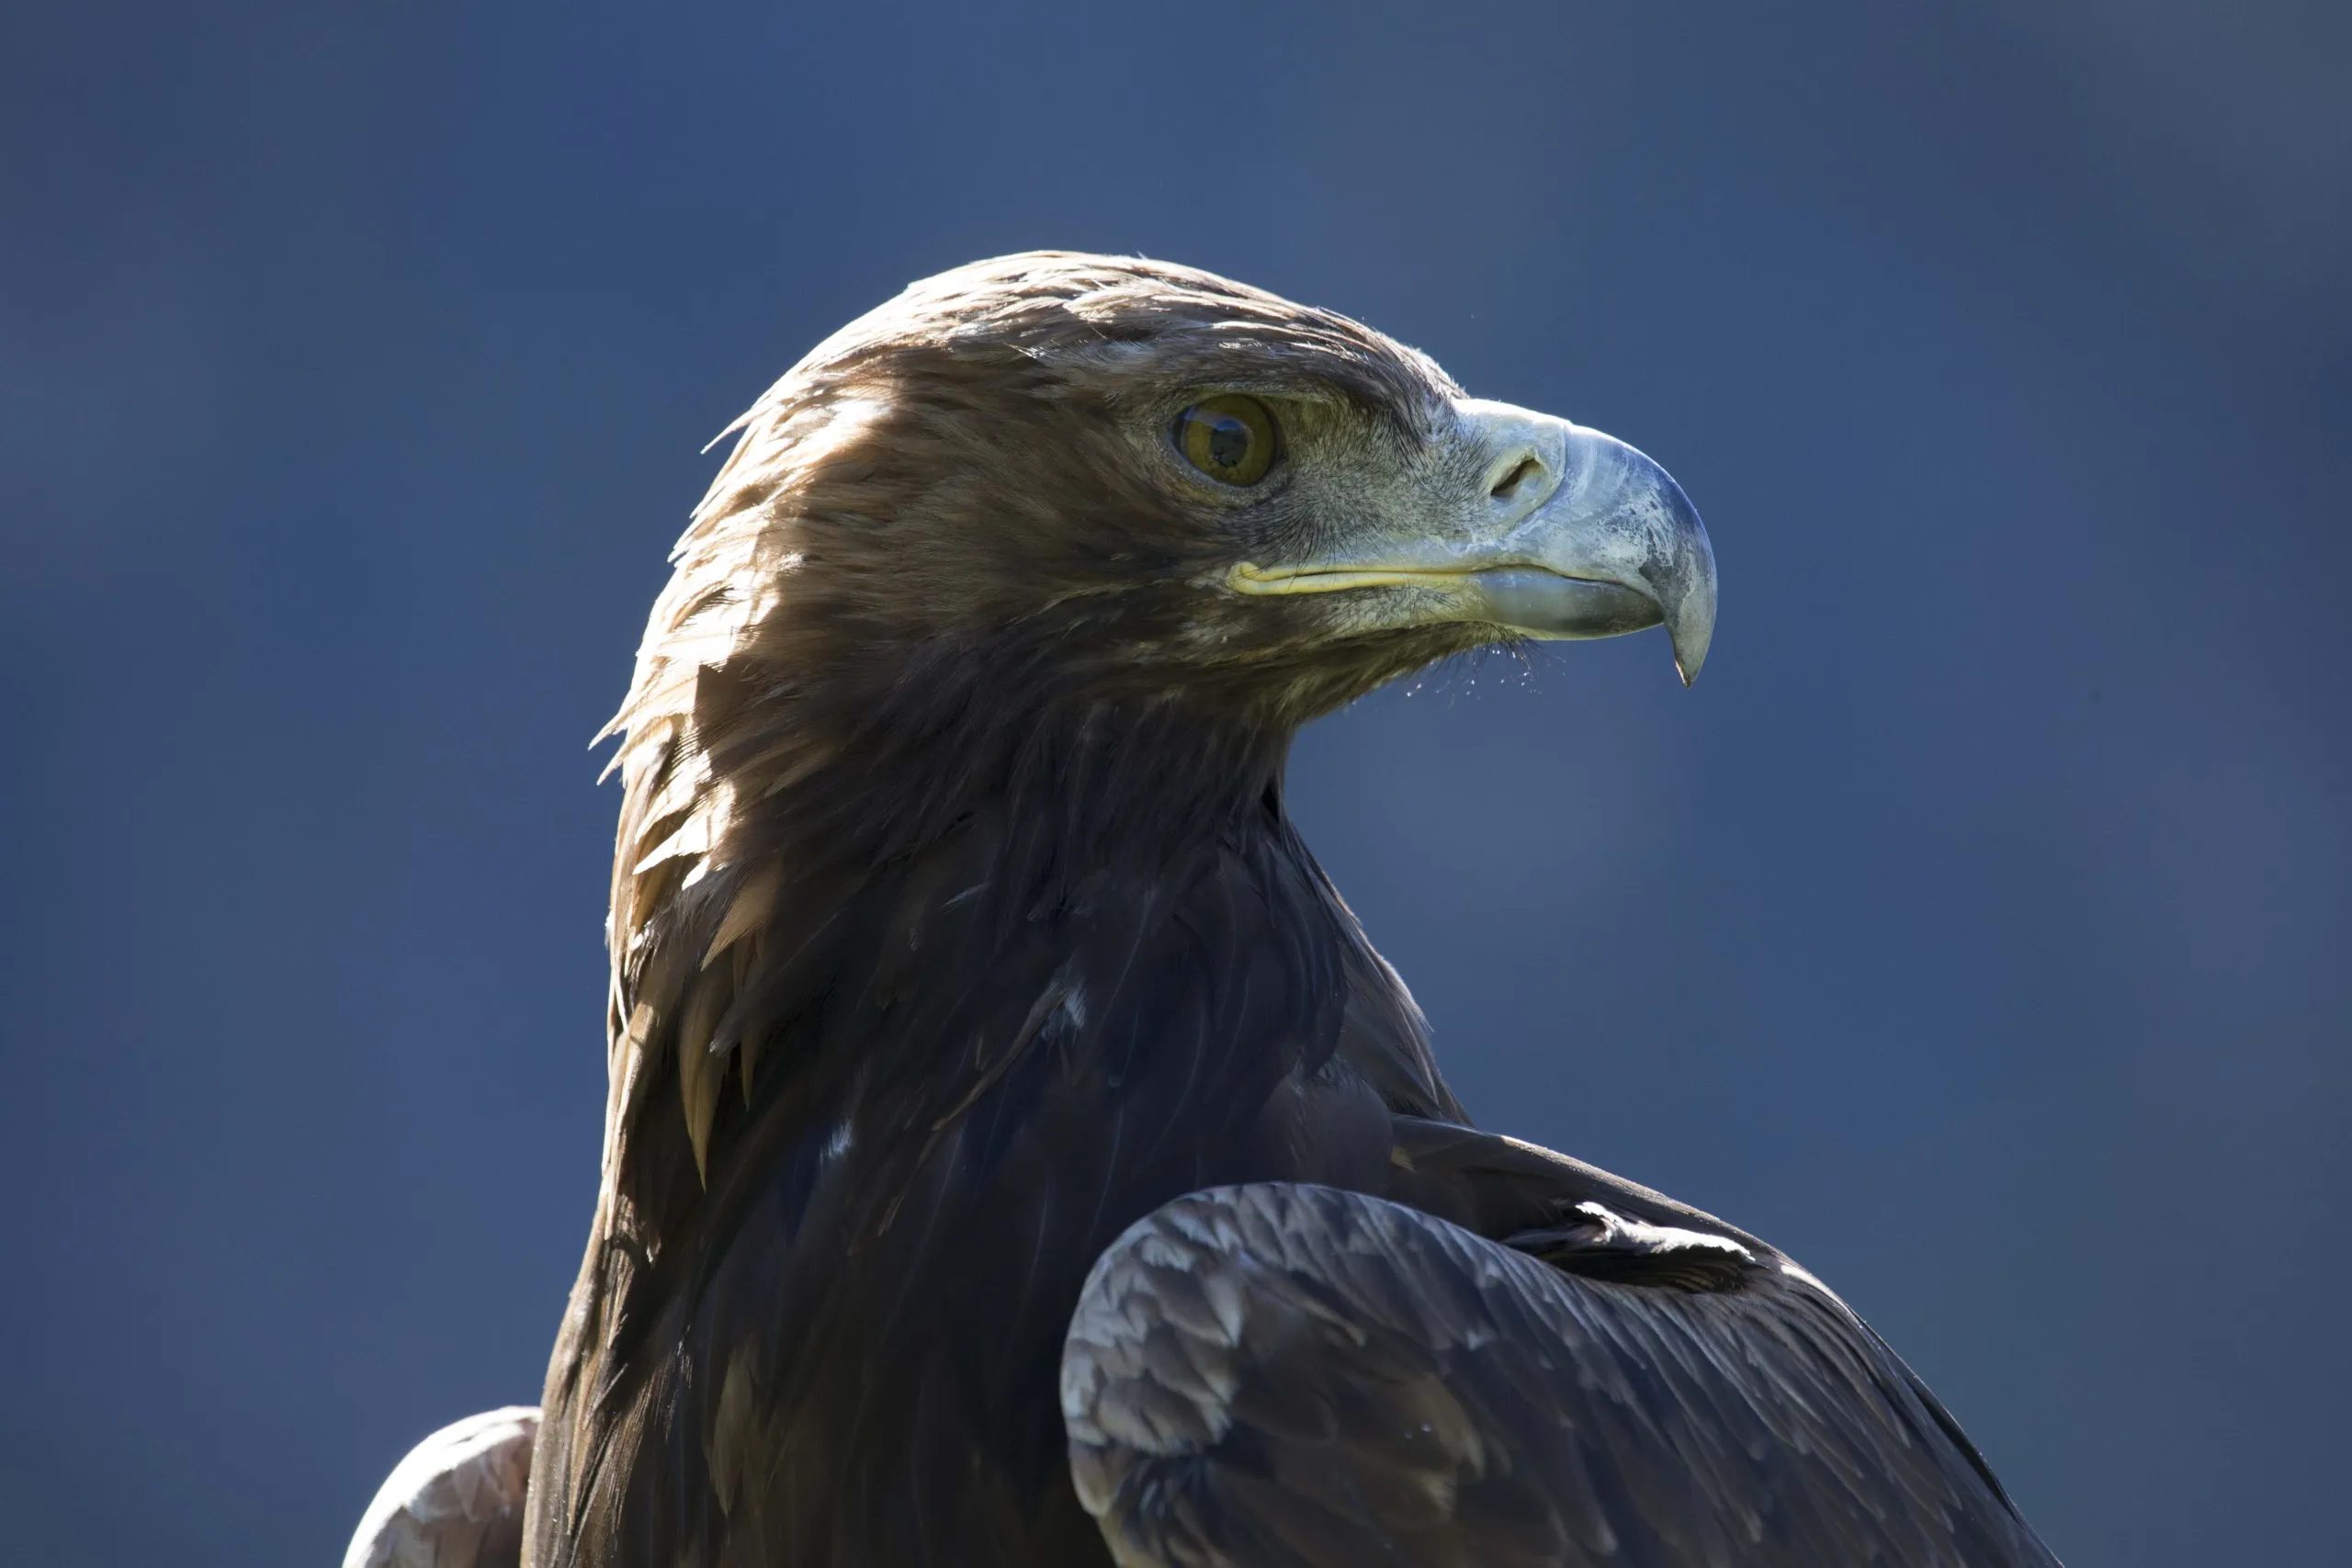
point(1977, 930)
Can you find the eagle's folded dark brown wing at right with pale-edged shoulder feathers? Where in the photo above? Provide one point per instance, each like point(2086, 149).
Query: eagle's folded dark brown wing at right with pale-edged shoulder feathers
point(1285, 1376)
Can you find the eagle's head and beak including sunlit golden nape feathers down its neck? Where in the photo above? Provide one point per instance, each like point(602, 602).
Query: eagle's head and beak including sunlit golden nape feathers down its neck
point(1093, 532)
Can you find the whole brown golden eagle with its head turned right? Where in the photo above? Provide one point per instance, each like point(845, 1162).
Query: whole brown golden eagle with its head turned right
point(1017, 1155)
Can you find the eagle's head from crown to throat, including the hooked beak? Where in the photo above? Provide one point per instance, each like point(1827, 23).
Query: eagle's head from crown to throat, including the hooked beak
point(1118, 478)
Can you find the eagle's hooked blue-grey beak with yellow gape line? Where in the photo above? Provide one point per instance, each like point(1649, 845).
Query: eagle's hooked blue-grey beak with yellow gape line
point(1577, 535)
